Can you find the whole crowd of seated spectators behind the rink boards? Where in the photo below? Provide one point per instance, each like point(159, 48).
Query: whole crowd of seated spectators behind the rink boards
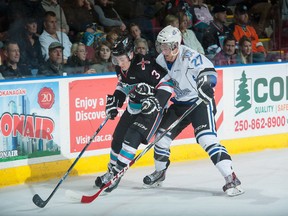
point(52, 37)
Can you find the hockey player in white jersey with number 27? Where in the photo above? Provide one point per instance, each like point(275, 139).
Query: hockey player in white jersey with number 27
point(194, 76)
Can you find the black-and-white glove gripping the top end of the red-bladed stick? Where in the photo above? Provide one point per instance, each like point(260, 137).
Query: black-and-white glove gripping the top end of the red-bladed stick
point(205, 89)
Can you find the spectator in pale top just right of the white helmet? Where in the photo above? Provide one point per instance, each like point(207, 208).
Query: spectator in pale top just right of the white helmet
point(188, 36)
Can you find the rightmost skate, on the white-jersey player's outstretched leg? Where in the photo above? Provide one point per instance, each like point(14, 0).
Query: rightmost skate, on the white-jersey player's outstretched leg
point(233, 186)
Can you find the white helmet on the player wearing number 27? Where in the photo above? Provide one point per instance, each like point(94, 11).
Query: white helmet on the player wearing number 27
point(170, 36)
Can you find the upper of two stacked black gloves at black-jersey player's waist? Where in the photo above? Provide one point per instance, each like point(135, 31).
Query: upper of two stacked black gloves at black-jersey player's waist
point(141, 92)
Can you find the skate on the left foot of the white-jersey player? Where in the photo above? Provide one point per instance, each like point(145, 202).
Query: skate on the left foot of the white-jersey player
point(156, 178)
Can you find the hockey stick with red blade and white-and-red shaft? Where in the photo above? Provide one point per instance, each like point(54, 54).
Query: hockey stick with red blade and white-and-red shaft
point(89, 199)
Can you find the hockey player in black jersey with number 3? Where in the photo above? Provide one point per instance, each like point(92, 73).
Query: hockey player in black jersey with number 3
point(148, 88)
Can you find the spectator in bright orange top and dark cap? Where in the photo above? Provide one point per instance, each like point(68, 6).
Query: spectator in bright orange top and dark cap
point(242, 28)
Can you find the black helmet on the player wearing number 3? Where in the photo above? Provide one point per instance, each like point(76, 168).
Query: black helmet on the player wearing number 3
point(122, 46)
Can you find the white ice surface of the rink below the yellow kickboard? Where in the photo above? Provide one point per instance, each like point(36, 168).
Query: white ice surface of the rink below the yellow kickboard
point(191, 188)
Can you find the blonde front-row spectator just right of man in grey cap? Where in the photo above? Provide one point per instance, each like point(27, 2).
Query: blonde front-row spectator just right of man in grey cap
point(77, 63)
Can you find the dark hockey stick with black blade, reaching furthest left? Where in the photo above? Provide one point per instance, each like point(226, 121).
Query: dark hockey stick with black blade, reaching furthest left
point(42, 203)
